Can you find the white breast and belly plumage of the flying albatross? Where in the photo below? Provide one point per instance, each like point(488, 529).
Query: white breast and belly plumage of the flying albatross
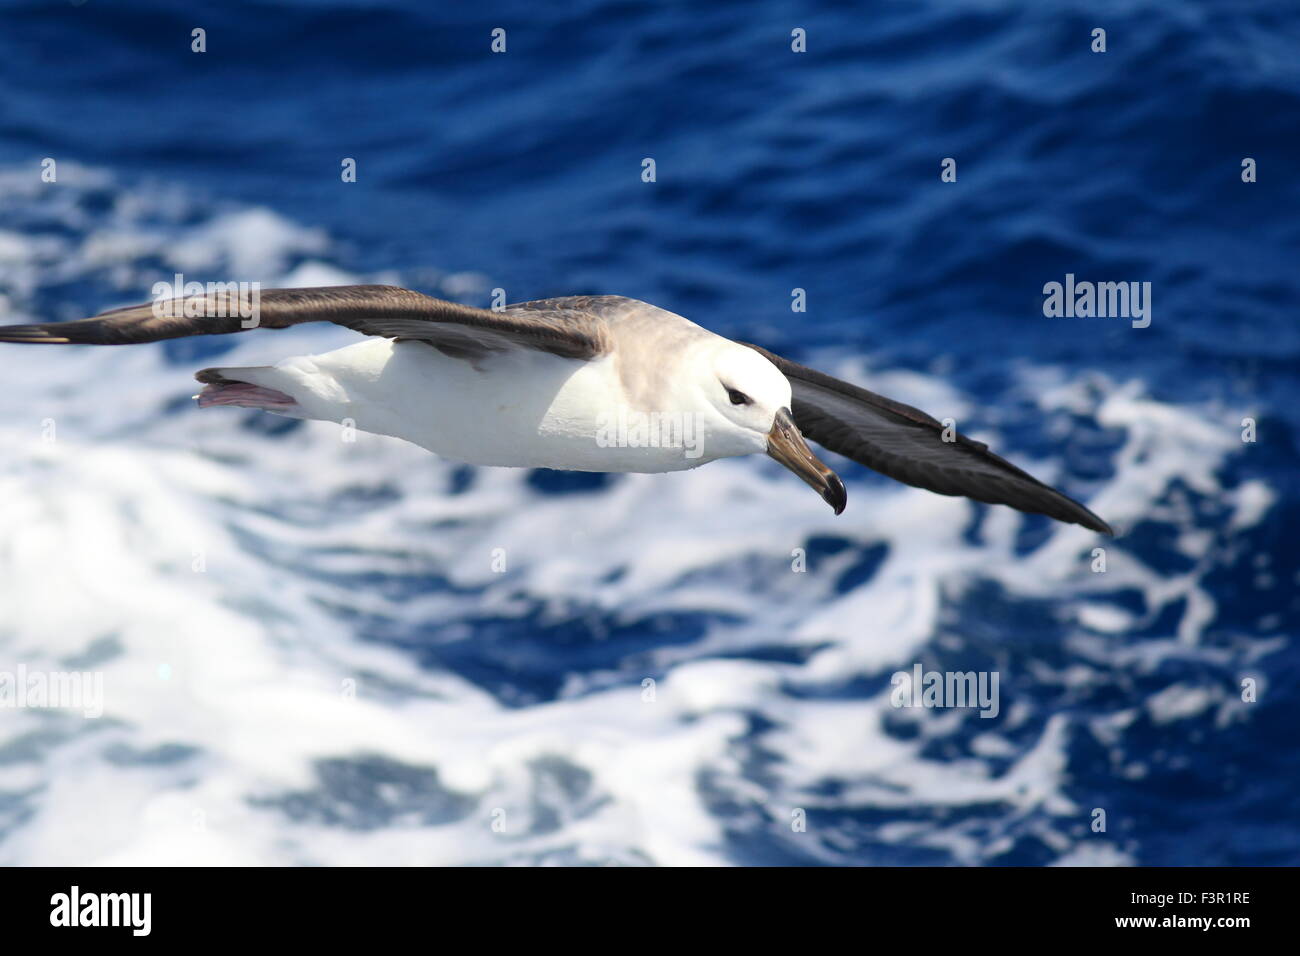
point(519, 409)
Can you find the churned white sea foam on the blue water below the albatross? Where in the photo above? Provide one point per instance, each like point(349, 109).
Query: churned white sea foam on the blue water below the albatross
point(235, 587)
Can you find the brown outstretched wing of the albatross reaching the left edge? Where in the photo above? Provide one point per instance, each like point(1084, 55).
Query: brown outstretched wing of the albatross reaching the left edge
point(374, 310)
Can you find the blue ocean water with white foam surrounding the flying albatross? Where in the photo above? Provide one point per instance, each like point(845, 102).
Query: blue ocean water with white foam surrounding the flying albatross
point(309, 651)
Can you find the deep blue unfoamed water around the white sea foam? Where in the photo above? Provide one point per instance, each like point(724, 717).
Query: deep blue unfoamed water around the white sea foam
point(777, 171)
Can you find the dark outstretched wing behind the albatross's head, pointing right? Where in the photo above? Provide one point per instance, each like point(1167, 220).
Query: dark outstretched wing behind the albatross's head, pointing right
point(908, 445)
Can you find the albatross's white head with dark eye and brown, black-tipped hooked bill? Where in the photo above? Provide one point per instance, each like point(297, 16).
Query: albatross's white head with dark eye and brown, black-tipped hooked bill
point(753, 399)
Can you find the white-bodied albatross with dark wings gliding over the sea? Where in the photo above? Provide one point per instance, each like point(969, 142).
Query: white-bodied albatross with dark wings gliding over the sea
point(538, 386)
